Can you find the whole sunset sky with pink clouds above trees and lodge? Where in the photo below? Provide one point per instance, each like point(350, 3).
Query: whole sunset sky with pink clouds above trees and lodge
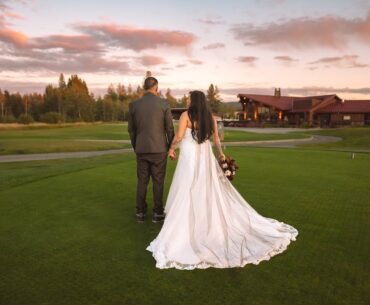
point(304, 47)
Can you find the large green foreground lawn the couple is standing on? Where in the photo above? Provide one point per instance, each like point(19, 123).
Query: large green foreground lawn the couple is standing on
point(68, 234)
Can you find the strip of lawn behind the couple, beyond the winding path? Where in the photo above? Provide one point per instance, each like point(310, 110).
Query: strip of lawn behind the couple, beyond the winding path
point(60, 138)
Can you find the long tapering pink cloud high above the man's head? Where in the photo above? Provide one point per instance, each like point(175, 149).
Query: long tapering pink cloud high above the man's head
point(137, 39)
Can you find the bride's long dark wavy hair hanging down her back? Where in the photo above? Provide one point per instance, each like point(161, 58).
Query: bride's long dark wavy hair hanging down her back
point(200, 117)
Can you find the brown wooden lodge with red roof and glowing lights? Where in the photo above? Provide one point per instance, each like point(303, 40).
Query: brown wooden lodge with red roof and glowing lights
point(322, 110)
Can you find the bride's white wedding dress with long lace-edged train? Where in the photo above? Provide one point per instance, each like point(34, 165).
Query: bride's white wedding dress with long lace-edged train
point(208, 223)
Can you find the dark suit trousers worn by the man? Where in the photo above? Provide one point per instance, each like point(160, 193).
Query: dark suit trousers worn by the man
point(150, 165)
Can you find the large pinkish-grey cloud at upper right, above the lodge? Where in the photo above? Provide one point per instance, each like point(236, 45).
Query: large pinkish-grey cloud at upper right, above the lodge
point(322, 32)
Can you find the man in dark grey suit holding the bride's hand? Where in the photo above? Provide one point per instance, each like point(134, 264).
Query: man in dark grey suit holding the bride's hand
point(151, 131)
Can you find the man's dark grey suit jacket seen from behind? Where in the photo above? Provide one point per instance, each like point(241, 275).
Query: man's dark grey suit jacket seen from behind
point(150, 124)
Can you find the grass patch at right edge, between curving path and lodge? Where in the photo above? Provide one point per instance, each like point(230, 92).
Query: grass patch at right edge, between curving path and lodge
point(353, 138)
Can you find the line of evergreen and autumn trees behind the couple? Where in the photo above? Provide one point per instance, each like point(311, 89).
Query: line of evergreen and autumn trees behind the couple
point(71, 101)
